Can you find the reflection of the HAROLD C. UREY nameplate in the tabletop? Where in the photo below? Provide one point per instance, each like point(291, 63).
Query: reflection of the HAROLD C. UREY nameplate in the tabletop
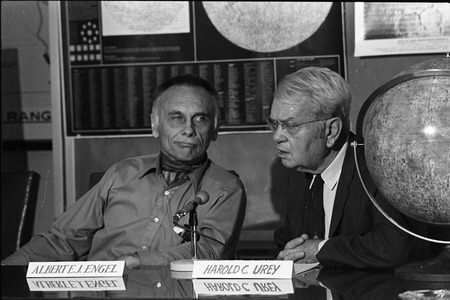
point(242, 287)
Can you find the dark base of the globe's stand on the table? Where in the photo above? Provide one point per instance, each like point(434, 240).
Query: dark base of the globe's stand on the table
point(436, 269)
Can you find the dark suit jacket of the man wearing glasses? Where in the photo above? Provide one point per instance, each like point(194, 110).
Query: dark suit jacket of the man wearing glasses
point(360, 236)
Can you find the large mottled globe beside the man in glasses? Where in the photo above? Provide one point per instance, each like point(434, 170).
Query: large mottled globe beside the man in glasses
point(407, 144)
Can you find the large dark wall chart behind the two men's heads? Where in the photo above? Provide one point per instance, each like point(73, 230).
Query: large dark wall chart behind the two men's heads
point(115, 54)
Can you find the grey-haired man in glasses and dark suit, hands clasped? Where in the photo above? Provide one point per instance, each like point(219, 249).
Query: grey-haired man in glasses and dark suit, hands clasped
point(329, 217)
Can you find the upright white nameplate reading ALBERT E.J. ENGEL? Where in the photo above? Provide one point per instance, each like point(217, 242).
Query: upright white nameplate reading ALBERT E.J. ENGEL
point(76, 269)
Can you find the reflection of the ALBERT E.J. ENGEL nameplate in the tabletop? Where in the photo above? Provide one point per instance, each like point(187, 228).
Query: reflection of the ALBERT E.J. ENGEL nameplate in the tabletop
point(76, 284)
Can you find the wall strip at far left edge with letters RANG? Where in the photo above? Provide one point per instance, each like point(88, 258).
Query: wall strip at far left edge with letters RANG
point(24, 27)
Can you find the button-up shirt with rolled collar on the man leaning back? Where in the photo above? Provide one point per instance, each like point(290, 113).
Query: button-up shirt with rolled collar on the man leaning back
point(131, 210)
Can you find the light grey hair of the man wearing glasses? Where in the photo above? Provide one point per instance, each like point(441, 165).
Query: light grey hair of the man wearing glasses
point(328, 93)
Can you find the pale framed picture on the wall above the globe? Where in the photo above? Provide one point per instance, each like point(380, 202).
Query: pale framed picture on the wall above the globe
point(399, 28)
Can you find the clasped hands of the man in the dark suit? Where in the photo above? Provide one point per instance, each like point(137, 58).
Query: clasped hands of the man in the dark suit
point(301, 249)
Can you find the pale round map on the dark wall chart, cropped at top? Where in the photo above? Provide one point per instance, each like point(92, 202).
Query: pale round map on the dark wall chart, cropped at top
point(267, 26)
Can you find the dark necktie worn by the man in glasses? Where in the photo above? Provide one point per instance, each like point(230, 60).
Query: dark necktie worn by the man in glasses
point(317, 211)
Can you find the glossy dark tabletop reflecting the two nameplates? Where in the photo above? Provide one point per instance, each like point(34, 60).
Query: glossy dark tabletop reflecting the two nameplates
point(159, 282)
